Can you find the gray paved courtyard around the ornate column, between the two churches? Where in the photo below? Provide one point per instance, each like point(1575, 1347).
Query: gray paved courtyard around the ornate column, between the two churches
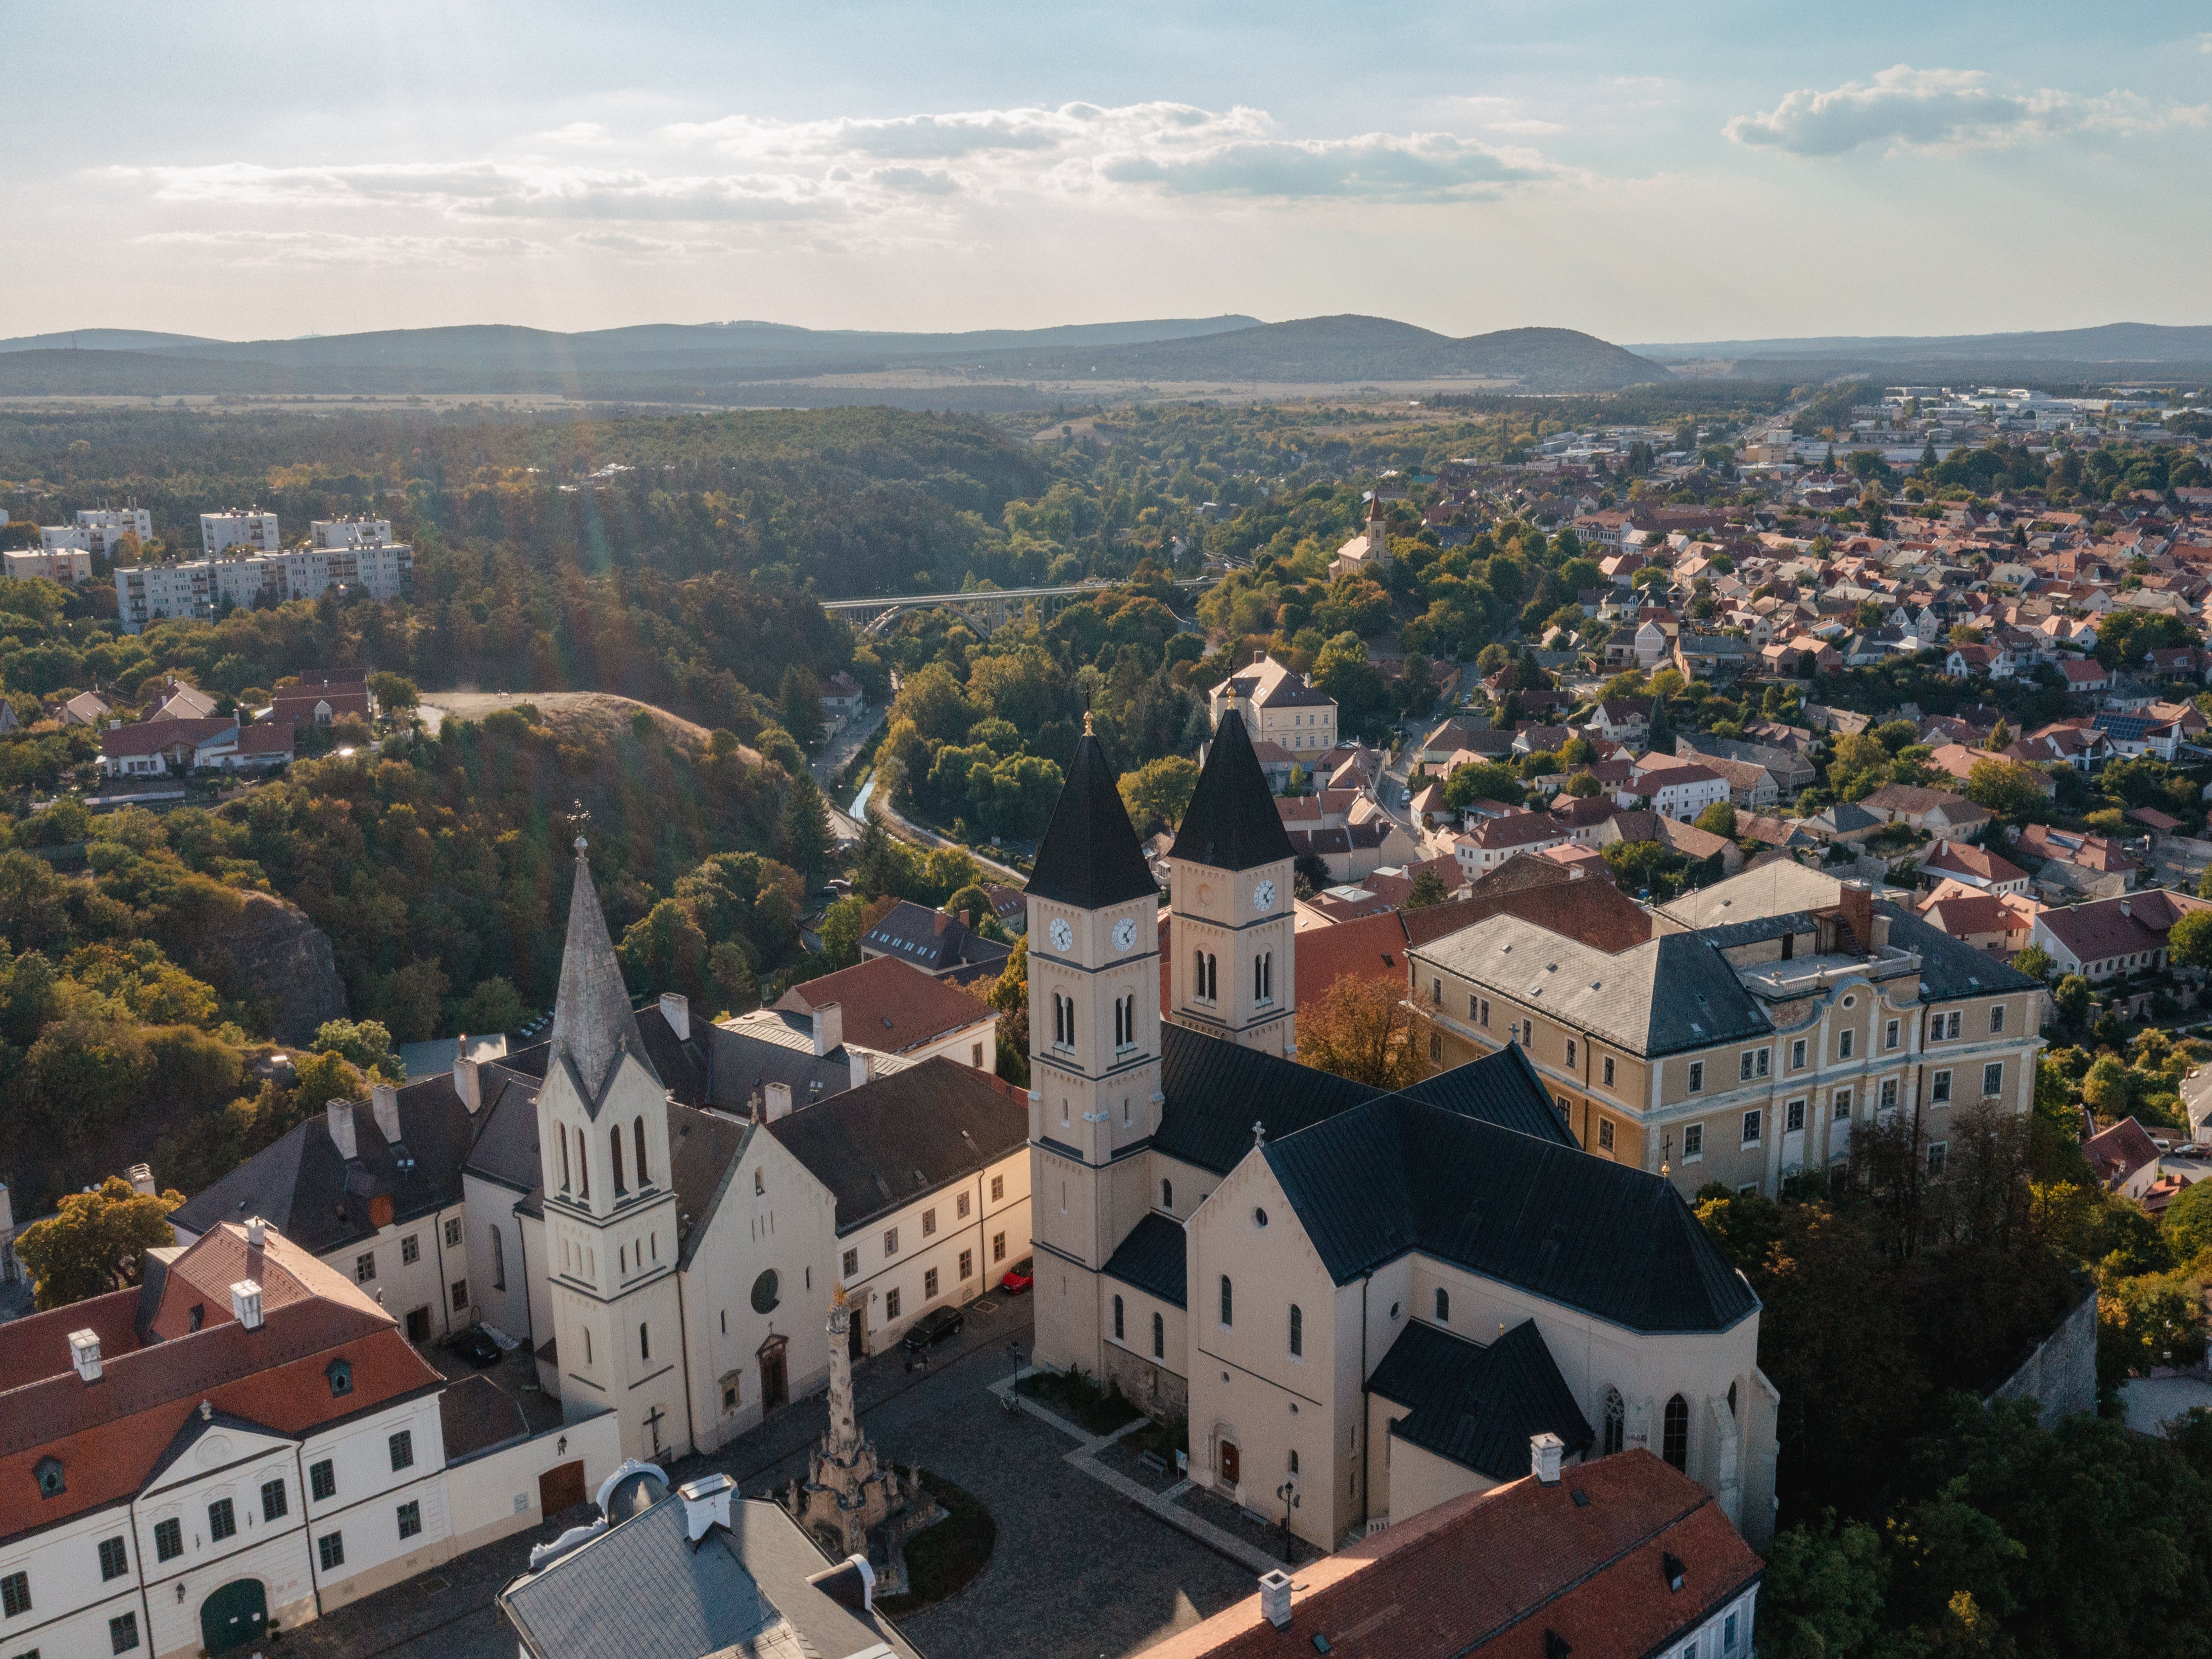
point(1078, 1572)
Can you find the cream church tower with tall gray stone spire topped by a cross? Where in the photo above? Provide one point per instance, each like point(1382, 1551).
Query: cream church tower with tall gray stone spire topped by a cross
point(609, 1200)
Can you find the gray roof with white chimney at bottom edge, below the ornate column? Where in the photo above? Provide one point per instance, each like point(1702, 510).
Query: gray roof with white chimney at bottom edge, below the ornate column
point(640, 1592)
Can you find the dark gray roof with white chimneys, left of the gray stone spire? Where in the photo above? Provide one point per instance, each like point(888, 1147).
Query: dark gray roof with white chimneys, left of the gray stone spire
point(311, 1196)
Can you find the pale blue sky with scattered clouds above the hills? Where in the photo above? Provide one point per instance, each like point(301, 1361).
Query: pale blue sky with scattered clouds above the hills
point(1645, 174)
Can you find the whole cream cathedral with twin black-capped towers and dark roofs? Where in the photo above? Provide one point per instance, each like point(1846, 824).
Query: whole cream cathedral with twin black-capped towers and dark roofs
point(1359, 1302)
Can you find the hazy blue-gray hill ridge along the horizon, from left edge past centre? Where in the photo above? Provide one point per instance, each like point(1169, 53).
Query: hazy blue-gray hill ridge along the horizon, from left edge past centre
point(720, 359)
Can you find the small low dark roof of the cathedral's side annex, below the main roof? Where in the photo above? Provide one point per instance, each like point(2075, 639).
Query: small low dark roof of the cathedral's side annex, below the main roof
point(1479, 1404)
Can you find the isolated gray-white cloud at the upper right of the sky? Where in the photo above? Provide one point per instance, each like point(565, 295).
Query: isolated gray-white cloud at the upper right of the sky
point(1943, 109)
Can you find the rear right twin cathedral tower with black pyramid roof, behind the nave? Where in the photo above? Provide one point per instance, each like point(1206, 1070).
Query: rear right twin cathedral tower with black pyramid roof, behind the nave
point(1233, 939)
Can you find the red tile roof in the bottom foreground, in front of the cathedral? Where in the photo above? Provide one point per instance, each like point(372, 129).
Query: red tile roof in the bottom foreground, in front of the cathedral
point(1499, 1572)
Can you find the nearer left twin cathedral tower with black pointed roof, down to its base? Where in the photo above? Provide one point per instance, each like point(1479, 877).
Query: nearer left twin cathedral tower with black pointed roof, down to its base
point(1094, 1050)
